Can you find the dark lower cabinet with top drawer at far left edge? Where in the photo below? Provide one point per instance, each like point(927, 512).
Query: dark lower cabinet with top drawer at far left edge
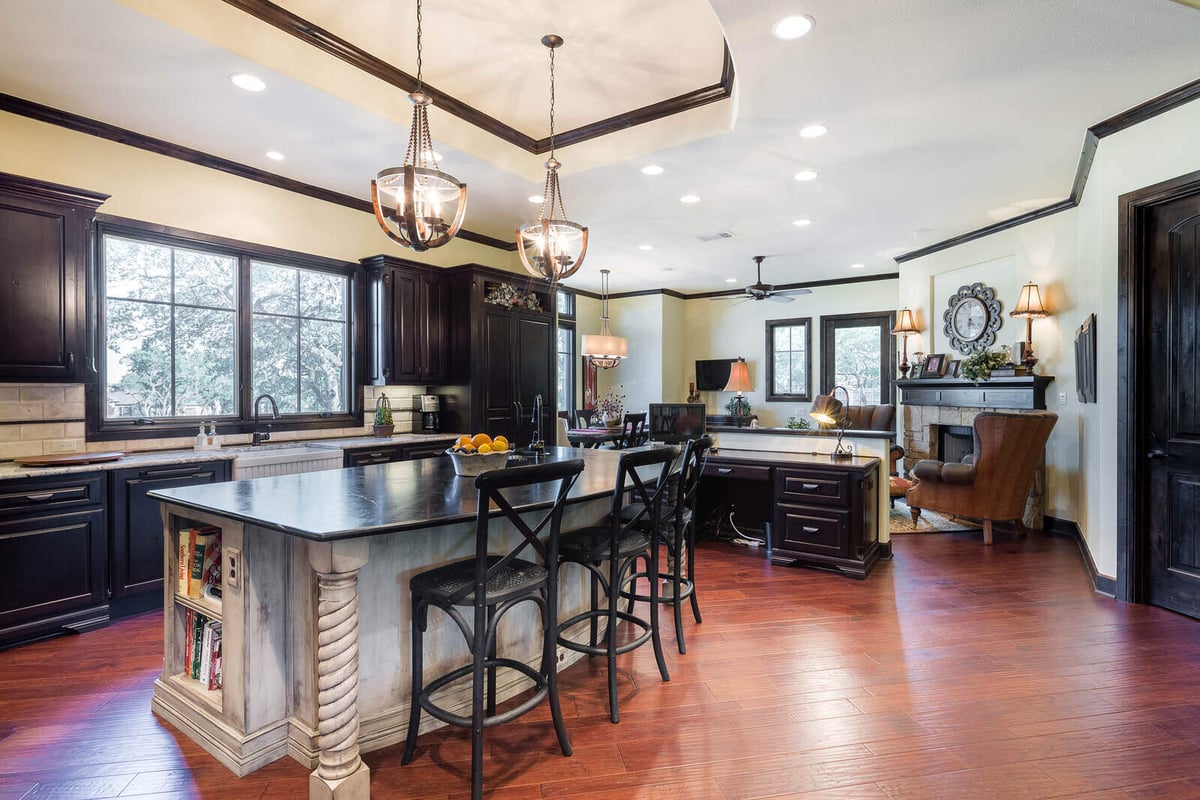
point(53, 556)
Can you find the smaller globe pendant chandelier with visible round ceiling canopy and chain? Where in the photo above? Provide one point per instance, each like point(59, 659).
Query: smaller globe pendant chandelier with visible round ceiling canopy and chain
point(553, 248)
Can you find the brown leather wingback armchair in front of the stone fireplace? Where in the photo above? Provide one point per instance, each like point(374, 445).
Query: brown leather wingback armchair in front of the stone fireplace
point(994, 482)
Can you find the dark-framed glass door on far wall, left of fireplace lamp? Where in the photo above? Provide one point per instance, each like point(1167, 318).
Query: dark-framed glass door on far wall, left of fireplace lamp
point(856, 353)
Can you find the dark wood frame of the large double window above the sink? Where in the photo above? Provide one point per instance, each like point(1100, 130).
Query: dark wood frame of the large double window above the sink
point(100, 430)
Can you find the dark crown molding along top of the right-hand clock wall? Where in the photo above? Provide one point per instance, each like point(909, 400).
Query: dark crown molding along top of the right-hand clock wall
point(1141, 113)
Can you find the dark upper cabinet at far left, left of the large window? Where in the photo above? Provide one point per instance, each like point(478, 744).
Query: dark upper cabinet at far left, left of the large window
point(44, 280)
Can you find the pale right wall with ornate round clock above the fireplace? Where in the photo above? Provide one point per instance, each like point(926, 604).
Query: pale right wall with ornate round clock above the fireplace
point(1073, 256)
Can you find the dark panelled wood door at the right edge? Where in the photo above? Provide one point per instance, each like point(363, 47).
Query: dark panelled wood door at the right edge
point(1171, 346)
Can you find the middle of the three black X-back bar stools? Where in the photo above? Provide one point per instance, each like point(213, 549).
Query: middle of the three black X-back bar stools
point(608, 552)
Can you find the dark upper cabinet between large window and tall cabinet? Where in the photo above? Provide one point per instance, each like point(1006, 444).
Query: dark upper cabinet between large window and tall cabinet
point(409, 322)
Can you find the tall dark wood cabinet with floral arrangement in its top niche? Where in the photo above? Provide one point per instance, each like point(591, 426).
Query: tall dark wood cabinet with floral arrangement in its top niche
point(502, 357)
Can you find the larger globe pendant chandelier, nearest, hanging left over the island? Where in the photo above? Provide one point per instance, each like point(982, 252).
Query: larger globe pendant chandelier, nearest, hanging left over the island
point(413, 202)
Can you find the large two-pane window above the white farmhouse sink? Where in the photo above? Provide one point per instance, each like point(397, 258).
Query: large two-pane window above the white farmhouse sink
point(196, 330)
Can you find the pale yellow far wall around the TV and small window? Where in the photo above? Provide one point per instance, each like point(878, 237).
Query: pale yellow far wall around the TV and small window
point(728, 329)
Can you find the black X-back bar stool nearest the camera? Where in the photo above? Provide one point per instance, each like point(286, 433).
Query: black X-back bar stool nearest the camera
point(491, 586)
